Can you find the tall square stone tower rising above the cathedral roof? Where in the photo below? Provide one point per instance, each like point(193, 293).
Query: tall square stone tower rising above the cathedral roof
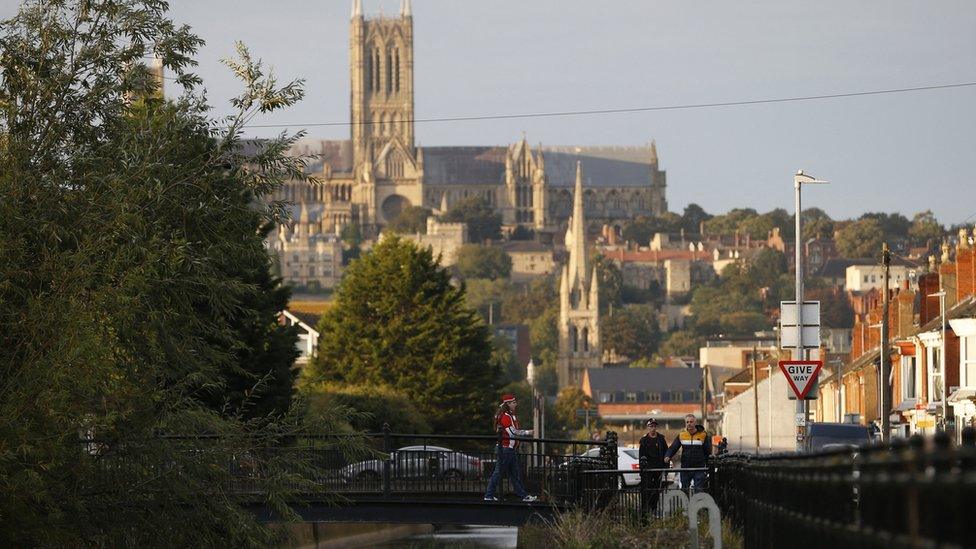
point(381, 70)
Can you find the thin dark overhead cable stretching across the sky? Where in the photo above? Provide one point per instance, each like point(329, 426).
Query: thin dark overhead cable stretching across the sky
point(625, 110)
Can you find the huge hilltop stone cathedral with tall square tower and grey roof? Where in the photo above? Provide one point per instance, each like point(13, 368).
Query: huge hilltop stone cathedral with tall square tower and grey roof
point(377, 173)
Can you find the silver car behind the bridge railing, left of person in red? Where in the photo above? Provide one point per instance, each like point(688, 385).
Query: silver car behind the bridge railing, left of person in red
point(417, 462)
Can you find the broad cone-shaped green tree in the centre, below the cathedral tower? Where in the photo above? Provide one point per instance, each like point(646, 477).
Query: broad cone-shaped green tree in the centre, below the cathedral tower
point(398, 322)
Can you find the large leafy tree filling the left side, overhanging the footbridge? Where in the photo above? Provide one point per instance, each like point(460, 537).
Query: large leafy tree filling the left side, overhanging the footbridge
point(131, 236)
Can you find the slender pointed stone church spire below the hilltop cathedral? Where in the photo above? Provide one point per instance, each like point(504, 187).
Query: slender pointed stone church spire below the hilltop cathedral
point(579, 302)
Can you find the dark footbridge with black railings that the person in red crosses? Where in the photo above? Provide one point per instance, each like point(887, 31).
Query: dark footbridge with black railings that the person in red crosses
point(406, 478)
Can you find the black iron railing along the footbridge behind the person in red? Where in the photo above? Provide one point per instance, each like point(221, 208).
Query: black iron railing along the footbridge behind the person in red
point(393, 465)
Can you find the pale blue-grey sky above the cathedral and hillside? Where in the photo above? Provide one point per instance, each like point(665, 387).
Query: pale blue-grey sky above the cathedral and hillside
point(903, 152)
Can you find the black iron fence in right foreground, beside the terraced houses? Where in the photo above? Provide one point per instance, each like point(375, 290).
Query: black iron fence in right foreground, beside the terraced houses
point(908, 494)
